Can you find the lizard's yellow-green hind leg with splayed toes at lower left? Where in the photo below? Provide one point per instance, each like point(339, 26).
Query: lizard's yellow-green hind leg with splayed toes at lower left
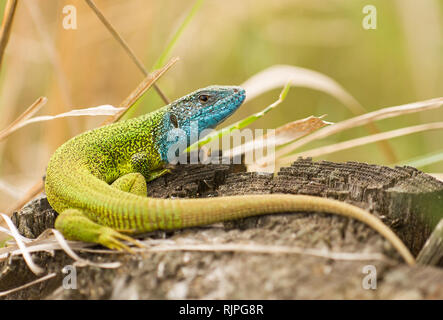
point(75, 225)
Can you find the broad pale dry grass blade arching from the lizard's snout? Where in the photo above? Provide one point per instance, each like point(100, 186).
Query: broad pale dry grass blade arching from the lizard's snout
point(277, 76)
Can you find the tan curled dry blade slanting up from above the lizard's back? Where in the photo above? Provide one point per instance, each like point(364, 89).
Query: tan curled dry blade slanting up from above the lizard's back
point(140, 90)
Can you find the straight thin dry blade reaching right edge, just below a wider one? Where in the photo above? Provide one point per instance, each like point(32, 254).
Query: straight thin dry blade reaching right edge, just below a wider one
point(361, 141)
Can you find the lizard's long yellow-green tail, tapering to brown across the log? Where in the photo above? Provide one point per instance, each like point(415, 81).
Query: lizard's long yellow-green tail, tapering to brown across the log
point(131, 213)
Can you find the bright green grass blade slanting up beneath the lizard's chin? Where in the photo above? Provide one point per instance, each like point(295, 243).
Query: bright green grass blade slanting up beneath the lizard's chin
point(242, 123)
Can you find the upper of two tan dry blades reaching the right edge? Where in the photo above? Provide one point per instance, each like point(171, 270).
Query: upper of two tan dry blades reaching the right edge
point(361, 120)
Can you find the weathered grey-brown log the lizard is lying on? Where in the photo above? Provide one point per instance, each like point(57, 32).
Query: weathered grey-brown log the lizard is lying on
point(406, 199)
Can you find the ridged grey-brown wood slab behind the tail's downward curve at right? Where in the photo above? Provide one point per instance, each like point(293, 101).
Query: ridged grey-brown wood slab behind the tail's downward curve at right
point(406, 199)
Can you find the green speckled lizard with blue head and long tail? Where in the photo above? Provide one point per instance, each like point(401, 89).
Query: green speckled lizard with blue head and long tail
point(97, 180)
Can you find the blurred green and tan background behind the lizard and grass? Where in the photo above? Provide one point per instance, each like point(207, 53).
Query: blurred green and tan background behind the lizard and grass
point(226, 43)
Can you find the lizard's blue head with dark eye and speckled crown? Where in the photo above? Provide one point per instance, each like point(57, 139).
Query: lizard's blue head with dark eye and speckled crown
point(200, 110)
